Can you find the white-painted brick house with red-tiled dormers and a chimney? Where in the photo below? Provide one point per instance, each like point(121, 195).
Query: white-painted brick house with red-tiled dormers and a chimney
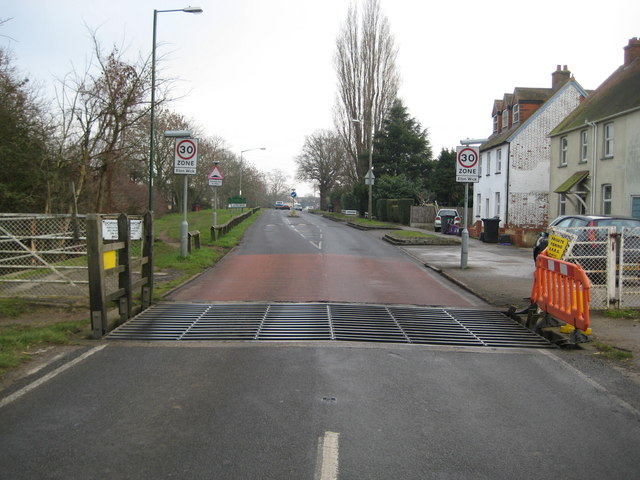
point(515, 160)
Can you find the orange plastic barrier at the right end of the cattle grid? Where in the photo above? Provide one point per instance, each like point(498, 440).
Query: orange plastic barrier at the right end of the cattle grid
point(562, 289)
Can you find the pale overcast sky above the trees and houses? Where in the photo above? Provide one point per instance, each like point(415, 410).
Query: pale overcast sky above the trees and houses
point(259, 73)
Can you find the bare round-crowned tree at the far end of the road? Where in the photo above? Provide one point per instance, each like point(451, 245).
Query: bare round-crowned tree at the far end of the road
point(322, 162)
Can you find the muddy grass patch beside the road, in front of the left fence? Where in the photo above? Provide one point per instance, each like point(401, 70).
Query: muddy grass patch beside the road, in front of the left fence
point(16, 341)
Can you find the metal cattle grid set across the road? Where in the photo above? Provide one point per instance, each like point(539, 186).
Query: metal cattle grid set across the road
point(341, 322)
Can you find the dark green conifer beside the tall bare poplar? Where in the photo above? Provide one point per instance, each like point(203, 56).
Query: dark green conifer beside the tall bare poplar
point(402, 146)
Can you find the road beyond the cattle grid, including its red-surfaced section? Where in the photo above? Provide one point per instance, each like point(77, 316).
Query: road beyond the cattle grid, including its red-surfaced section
point(308, 258)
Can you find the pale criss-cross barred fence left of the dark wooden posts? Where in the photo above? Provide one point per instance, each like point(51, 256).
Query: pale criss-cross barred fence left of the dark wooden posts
point(43, 257)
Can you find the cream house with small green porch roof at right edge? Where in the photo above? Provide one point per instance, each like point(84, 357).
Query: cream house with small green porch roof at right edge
point(595, 151)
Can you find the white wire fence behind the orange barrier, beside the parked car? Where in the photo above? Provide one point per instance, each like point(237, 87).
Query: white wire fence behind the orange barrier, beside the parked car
point(611, 260)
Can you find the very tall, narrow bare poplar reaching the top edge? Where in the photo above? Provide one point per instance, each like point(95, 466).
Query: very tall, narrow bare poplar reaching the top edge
point(368, 81)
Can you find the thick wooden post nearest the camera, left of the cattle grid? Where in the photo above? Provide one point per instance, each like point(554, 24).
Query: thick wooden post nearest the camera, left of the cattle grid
point(95, 261)
